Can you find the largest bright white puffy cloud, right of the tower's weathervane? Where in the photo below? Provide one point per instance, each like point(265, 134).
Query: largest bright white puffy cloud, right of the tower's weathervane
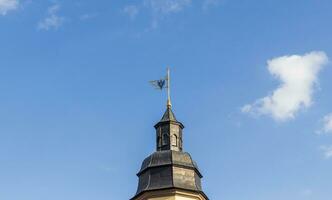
point(298, 75)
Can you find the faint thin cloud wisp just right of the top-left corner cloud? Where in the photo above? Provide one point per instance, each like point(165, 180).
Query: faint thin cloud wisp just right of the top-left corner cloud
point(52, 20)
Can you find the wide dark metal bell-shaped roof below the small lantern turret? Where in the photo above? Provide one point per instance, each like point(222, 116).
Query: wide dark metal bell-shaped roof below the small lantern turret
point(169, 169)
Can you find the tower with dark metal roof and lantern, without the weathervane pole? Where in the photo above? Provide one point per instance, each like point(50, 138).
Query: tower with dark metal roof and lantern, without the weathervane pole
point(169, 173)
